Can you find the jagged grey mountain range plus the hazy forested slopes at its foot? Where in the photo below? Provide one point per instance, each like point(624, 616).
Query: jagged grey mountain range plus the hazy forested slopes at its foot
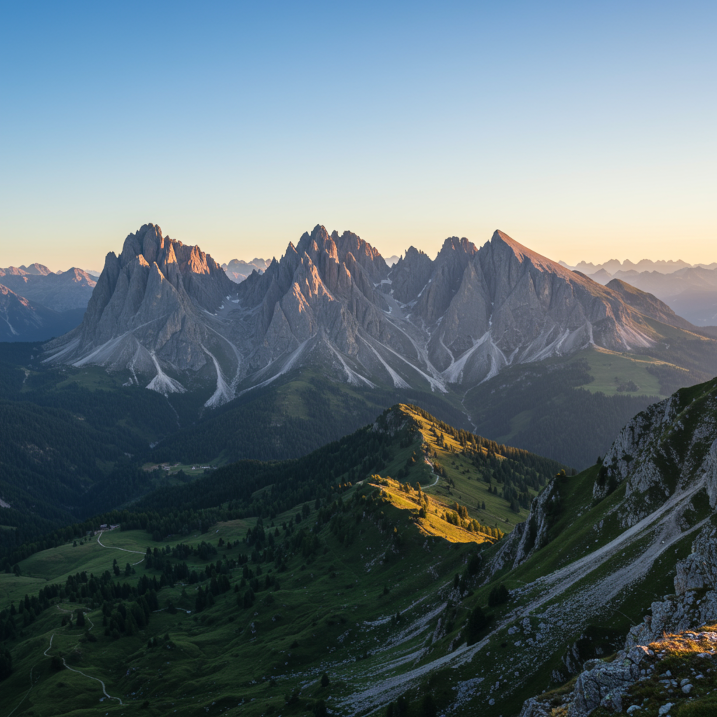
point(476, 335)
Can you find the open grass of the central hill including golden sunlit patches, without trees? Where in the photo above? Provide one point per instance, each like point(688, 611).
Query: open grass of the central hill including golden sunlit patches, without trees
point(339, 591)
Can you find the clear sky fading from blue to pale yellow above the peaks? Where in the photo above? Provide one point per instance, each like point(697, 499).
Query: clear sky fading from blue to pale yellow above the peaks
point(585, 130)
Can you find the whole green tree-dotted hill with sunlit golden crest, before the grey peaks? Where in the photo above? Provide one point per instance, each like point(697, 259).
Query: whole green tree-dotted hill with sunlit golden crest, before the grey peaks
point(288, 570)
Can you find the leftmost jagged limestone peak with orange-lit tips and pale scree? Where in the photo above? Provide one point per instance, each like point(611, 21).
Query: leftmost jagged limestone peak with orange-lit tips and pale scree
point(147, 311)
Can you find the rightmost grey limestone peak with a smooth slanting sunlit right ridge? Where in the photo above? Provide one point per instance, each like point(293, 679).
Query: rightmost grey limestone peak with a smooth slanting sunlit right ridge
point(513, 305)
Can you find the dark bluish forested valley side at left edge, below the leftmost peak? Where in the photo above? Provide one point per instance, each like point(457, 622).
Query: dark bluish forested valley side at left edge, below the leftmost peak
point(66, 449)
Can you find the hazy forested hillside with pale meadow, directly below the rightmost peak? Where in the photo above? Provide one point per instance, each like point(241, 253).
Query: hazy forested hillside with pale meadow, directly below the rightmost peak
point(570, 409)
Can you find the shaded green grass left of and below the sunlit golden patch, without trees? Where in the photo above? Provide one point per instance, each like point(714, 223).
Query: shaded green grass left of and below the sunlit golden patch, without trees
point(225, 654)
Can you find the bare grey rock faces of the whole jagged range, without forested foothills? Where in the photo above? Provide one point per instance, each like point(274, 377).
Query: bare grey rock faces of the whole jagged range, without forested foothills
point(168, 312)
